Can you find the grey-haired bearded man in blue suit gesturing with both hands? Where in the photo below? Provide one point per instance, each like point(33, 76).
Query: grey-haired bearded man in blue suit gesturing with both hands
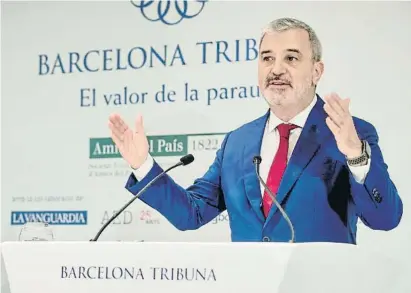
point(323, 166)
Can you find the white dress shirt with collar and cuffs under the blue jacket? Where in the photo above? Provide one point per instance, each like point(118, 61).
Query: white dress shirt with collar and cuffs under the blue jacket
point(270, 144)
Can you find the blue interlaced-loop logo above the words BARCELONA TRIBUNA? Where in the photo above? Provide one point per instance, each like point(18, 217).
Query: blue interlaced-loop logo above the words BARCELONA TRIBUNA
point(169, 12)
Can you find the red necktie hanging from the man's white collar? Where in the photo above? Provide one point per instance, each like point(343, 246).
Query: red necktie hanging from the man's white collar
point(278, 166)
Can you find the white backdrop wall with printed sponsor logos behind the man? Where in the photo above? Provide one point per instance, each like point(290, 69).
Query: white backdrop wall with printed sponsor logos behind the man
point(53, 141)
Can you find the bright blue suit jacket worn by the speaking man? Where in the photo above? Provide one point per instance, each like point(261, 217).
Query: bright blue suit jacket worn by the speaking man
point(318, 192)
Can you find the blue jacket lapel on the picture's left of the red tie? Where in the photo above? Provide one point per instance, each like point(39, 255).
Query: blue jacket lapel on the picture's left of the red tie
point(253, 140)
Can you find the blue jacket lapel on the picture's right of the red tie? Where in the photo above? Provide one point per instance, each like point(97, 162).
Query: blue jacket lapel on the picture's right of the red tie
point(307, 146)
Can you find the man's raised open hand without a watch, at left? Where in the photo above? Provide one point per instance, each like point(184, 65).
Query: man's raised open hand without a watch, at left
point(133, 145)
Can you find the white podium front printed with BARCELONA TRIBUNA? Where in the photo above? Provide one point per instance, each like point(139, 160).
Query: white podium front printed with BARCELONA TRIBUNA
point(85, 267)
